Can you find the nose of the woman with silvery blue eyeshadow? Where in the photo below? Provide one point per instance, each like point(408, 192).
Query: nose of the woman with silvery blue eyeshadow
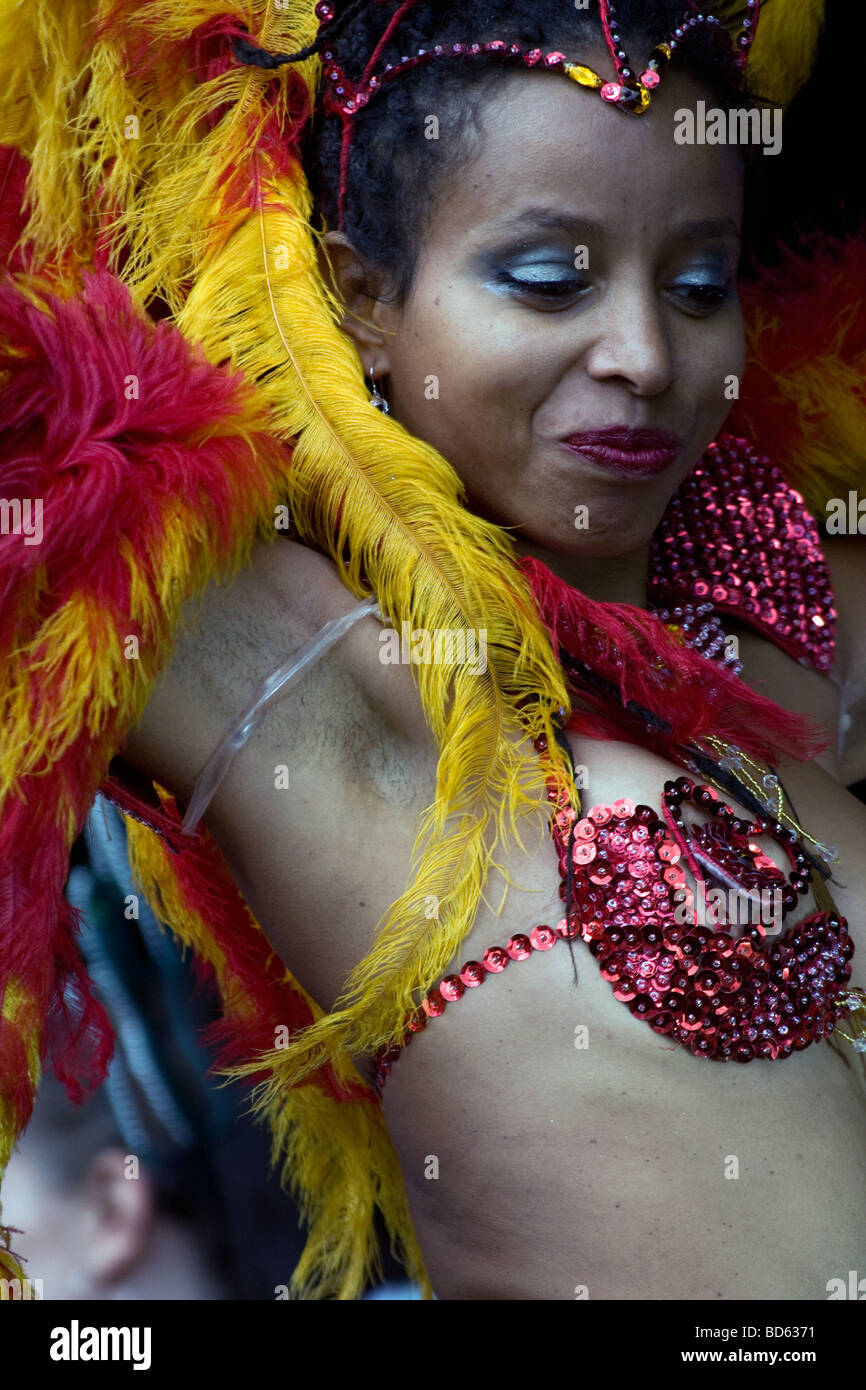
point(633, 341)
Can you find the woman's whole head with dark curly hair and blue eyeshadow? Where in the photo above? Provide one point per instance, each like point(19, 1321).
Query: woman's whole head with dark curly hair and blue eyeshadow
point(546, 268)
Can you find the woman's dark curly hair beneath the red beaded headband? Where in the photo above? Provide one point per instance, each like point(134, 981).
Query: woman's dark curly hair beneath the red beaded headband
point(393, 179)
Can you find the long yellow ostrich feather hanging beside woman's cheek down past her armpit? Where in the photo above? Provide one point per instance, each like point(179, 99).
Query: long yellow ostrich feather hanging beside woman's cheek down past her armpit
point(429, 561)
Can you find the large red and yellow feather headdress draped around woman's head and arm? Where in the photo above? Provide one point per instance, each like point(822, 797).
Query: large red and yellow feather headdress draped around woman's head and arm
point(174, 377)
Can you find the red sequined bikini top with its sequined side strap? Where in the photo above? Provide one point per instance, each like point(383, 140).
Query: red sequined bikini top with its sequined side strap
point(626, 896)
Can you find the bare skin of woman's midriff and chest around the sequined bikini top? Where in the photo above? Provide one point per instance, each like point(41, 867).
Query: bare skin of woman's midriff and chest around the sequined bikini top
point(576, 1145)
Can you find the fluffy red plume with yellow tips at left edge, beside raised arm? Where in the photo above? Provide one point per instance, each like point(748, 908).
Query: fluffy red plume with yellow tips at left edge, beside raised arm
point(154, 472)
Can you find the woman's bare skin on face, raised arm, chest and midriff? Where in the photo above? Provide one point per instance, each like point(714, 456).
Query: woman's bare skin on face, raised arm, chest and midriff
point(629, 1193)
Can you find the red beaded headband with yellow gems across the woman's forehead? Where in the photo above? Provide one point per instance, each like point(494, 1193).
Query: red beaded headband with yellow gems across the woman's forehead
point(629, 92)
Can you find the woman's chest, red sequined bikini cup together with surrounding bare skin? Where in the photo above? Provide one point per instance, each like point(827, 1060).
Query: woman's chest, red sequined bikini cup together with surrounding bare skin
point(703, 921)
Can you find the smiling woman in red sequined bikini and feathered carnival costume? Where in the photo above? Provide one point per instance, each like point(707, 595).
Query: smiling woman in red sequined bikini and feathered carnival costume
point(554, 312)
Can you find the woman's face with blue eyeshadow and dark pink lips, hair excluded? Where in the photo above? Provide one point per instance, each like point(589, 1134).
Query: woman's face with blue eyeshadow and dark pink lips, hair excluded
point(514, 338)
